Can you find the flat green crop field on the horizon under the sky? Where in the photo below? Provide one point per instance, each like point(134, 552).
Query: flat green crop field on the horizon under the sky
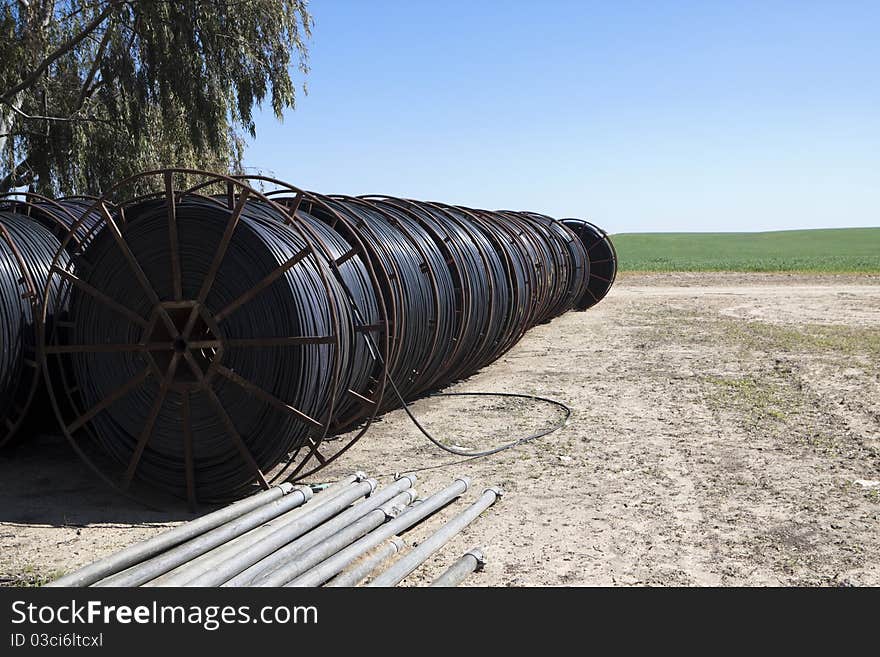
point(832, 250)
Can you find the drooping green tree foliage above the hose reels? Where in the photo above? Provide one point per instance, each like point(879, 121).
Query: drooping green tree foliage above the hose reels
point(94, 91)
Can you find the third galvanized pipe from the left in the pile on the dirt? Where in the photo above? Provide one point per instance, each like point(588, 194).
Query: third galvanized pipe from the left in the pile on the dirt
point(204, 563)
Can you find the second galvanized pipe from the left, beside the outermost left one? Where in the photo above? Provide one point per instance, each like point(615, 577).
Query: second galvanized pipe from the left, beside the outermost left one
point(162, 563)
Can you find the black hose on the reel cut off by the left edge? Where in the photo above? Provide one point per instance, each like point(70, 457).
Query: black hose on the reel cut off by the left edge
point(26, 253)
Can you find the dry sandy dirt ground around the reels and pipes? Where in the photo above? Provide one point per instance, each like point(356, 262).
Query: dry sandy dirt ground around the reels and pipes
point(725, 430)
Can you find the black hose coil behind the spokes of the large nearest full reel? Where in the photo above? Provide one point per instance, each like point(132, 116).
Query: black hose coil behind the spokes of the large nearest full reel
point(296, 304)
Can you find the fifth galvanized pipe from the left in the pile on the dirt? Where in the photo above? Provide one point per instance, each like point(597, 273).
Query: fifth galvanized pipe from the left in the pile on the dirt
point(322, 533)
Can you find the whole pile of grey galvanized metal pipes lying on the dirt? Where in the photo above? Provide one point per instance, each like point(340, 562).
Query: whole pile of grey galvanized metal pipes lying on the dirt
point(288, 536)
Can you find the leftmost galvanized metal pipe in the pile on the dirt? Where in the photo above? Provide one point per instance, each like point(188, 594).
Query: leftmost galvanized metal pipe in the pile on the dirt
point(138, 552)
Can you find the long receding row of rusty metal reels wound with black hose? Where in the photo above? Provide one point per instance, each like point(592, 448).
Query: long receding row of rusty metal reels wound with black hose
point(216, 337)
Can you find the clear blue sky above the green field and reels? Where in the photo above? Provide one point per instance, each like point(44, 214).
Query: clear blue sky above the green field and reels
point(644, 116)
